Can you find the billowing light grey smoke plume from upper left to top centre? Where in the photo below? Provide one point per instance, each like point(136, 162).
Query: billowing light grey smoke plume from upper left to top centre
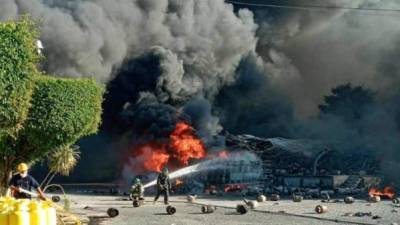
point(200, 42)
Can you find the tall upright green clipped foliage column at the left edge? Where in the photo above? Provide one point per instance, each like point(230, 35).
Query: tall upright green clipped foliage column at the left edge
point(18, 60)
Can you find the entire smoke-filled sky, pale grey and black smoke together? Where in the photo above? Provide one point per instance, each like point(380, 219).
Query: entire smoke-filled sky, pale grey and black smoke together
point(250, 69)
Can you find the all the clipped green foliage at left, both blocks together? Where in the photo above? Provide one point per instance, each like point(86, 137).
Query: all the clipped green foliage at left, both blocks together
point(38, 114)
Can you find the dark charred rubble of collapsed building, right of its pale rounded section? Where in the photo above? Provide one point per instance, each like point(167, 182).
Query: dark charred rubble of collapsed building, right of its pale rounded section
point(290, 165)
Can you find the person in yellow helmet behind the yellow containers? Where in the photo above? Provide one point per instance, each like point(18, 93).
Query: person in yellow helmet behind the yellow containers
point(23, 181)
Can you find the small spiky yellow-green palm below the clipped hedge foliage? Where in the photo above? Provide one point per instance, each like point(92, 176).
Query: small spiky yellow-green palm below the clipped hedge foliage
point(61, 161)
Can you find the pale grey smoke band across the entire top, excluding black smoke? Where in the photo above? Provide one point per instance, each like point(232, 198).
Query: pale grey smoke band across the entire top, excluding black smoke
point(305, 52)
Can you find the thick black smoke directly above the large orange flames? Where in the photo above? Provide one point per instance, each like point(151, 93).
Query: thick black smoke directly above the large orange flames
point(135, 102)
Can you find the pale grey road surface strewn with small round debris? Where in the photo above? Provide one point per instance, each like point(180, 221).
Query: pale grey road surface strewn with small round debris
point(284, 212)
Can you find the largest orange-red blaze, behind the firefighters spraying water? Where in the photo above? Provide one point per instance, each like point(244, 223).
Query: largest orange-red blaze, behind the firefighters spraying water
point(182, 146)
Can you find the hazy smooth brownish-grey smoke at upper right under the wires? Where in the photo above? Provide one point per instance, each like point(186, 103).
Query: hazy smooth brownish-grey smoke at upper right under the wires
point(311, 51)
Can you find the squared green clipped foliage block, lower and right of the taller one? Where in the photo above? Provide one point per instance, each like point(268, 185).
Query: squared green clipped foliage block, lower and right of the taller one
point(63, 110)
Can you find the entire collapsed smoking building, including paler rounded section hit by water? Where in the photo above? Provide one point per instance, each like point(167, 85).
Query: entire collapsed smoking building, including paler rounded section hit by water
point(294, 165)
